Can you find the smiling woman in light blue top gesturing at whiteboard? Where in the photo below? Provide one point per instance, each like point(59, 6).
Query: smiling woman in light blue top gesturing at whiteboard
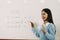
point(47, 30)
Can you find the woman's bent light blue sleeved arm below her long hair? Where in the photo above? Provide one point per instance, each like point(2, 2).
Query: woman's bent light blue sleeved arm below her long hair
point(51, 34)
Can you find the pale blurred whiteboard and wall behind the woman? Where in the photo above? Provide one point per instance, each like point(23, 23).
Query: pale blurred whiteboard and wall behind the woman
point(15, 17)
